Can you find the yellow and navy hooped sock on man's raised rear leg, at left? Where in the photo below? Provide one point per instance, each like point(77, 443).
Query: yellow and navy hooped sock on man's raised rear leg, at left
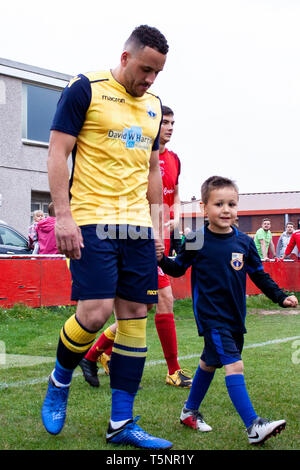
point(75, 340)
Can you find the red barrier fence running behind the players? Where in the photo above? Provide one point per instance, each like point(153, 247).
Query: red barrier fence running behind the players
point(46, 280)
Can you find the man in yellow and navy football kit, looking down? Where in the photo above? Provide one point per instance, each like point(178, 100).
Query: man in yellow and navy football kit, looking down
point(110, 122)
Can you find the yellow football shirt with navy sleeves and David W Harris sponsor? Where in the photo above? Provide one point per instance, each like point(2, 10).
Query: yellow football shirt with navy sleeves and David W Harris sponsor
point(116, 134)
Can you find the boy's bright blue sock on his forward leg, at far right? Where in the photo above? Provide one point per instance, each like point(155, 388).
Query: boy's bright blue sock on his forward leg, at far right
point(239, 396)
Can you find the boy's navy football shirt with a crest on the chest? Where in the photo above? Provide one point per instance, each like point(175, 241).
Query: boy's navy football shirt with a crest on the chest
point(218, 277)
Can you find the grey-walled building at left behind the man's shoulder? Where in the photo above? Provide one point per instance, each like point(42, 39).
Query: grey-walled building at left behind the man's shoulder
point(28, 99)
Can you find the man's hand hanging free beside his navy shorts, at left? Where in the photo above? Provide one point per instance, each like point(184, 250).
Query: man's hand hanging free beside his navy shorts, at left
point(69, 239)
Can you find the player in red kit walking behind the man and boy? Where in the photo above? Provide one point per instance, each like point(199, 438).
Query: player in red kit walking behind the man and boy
point(164, 317)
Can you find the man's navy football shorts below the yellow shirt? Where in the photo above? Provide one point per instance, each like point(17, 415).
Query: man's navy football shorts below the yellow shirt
point(116, 261)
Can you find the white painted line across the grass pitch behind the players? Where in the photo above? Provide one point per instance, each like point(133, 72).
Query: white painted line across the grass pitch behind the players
point(22, 383)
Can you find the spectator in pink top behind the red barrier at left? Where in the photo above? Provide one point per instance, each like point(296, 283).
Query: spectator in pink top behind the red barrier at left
point(46, 233)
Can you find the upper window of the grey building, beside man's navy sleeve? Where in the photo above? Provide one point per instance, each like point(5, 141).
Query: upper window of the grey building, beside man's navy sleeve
point(39, 105)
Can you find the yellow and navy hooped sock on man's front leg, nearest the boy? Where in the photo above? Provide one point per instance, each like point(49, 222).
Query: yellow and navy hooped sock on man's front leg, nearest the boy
point(128, 355)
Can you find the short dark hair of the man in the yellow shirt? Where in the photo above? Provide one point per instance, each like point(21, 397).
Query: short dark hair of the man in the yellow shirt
point(145, 35)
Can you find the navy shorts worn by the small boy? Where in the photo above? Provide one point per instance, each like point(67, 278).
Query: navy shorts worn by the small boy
point(222, 347)
